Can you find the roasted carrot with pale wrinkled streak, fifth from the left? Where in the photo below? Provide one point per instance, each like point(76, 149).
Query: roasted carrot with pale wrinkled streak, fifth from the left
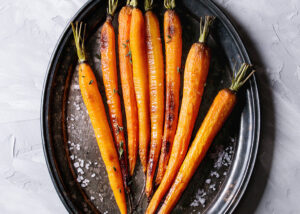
point(156, 91)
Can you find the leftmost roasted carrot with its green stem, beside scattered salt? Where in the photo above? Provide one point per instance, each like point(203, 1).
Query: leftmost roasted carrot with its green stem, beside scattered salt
point(93, 102)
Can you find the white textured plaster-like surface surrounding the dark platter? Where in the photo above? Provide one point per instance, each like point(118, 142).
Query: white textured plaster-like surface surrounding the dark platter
point(29, 32)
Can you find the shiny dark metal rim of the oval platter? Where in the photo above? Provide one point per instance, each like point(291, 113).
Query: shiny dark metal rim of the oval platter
point(44, 118)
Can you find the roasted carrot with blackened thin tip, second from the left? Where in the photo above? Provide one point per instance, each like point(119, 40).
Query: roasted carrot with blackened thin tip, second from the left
point(110, 80)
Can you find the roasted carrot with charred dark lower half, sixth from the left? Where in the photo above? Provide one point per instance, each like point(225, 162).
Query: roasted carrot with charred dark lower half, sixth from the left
point(173, 48)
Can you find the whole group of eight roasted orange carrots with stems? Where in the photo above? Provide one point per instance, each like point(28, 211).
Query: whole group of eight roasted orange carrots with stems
point(154, 129)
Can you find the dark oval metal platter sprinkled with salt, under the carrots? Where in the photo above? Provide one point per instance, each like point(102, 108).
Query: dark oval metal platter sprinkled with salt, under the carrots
point(71, 151)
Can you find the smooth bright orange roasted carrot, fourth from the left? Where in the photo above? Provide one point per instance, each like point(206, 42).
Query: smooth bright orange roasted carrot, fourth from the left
point(140, 79)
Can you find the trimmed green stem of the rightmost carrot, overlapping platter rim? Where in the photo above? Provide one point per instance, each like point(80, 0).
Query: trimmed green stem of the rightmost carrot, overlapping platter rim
point(241, 77)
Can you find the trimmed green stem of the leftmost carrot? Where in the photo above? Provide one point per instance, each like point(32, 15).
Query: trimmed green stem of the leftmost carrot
point(79, 40)
